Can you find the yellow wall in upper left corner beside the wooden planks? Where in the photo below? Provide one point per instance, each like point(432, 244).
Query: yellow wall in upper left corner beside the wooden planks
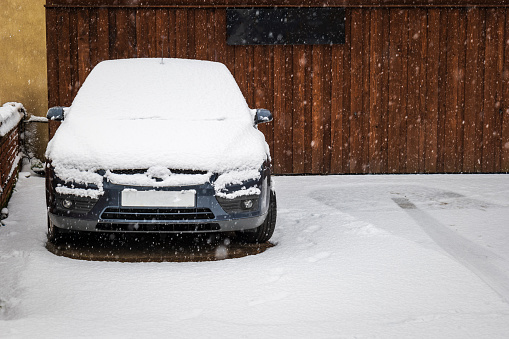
point(23, 57)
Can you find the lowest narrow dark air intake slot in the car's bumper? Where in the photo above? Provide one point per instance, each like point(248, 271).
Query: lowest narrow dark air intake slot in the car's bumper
point(116, 227)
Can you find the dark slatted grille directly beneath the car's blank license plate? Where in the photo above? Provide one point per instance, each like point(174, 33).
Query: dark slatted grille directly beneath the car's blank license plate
point(157, 214)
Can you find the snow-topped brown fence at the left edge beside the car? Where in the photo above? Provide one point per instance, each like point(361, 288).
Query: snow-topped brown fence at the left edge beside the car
point(11, 115)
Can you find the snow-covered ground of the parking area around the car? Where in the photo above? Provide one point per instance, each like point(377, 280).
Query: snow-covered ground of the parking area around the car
point(356, 256)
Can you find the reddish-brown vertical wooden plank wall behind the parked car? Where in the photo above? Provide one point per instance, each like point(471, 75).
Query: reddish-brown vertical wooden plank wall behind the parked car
point(413, 90)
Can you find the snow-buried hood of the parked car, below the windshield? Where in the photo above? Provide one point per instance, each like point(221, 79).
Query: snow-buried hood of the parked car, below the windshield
point(215, 146)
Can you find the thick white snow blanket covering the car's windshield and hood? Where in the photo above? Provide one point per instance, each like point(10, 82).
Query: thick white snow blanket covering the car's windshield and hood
point(140, 113)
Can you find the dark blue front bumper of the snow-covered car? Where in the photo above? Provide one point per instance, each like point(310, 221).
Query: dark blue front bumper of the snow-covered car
point(107, 214)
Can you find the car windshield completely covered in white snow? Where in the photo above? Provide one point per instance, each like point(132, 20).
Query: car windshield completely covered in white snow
point(160, 89)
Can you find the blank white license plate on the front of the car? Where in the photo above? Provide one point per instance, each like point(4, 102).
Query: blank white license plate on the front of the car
point(133, 198)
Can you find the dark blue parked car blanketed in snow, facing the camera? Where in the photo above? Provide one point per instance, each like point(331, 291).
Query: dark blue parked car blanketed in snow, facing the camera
point(160, 145)
